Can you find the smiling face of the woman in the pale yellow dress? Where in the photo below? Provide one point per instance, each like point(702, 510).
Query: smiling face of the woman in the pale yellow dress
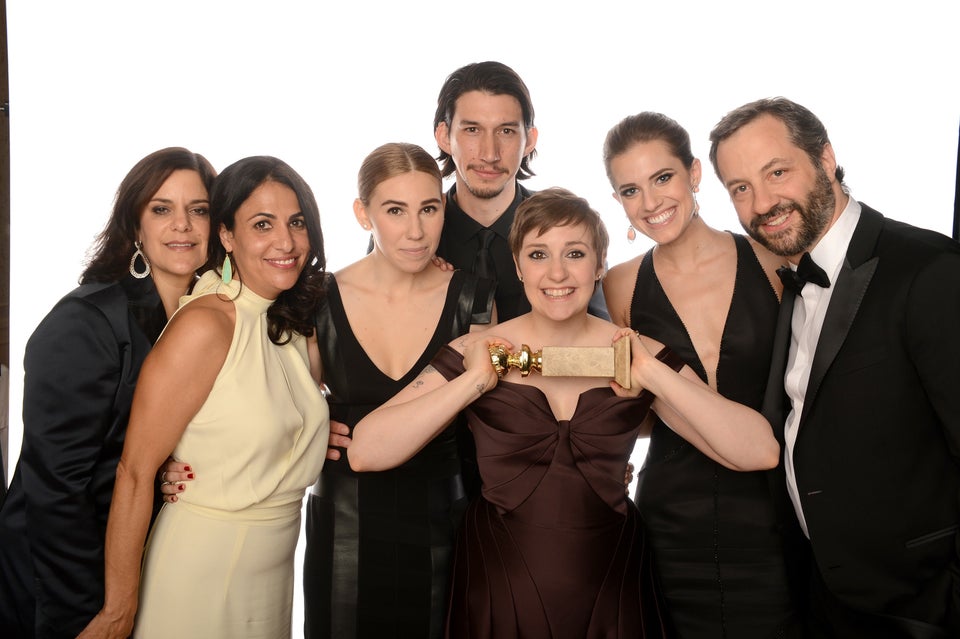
point(269, 242)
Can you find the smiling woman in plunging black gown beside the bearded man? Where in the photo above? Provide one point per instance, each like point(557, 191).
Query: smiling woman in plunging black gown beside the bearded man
point(712, 297)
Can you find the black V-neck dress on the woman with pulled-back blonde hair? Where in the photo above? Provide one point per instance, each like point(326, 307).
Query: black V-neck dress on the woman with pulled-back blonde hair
point(379, 545)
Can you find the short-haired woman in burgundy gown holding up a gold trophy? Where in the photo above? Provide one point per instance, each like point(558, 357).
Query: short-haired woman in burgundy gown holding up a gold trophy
point(554, 548)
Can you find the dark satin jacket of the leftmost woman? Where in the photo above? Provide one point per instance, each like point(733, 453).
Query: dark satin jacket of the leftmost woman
point(80, 371)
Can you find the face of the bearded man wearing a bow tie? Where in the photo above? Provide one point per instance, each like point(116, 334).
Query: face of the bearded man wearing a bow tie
point(783, 200)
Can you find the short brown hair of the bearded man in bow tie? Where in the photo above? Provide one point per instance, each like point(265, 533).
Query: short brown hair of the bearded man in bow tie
point(806, 130)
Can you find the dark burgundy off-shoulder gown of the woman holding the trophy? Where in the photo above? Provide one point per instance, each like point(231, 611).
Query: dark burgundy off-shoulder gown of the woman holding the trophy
point(553, 547)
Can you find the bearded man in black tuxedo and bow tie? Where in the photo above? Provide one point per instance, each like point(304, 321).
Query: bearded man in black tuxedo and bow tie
point(864, 389)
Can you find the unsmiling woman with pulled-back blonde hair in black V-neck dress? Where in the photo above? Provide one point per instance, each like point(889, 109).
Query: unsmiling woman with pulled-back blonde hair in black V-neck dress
point(379, 545)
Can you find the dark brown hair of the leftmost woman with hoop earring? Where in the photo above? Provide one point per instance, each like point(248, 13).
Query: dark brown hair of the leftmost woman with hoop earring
point(110, 256)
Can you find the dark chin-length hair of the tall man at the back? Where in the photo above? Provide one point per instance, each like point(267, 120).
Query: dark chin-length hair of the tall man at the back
point(490, 77)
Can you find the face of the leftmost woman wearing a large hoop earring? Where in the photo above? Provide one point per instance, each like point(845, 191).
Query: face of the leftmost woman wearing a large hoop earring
point(175, 227)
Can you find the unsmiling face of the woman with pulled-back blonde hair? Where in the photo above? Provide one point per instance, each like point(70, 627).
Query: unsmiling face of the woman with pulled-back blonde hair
point(405, 213)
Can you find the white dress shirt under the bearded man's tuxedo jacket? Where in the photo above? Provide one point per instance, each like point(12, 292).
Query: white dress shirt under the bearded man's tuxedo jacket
point(807, 321)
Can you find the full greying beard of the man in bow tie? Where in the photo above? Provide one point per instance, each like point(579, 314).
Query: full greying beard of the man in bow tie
point(815, 214)
